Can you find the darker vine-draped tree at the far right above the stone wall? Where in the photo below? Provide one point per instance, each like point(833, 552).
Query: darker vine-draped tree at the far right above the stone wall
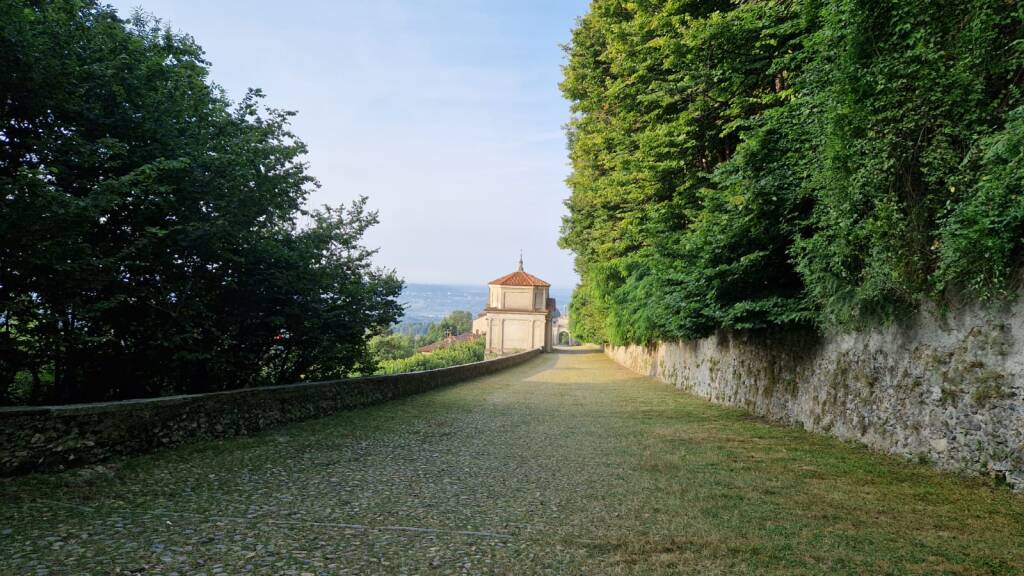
point(909, 96)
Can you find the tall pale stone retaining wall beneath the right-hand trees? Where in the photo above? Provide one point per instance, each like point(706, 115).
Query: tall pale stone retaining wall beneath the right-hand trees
point(945, 388)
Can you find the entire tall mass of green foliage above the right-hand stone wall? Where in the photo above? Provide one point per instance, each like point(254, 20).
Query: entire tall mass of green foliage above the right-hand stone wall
point(755, 164)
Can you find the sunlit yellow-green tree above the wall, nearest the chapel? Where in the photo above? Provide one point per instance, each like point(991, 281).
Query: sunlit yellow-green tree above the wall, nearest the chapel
point(662, 95)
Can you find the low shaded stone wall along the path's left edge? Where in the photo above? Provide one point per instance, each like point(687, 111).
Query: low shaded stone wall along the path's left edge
point(56, 437)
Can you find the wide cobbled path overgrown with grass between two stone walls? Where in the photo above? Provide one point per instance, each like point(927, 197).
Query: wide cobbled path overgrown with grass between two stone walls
point(568, 465)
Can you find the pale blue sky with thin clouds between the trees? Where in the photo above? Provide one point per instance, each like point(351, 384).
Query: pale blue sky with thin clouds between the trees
point(447, 114)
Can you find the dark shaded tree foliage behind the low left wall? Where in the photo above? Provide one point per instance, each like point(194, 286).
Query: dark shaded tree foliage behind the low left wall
point(150, 229)
